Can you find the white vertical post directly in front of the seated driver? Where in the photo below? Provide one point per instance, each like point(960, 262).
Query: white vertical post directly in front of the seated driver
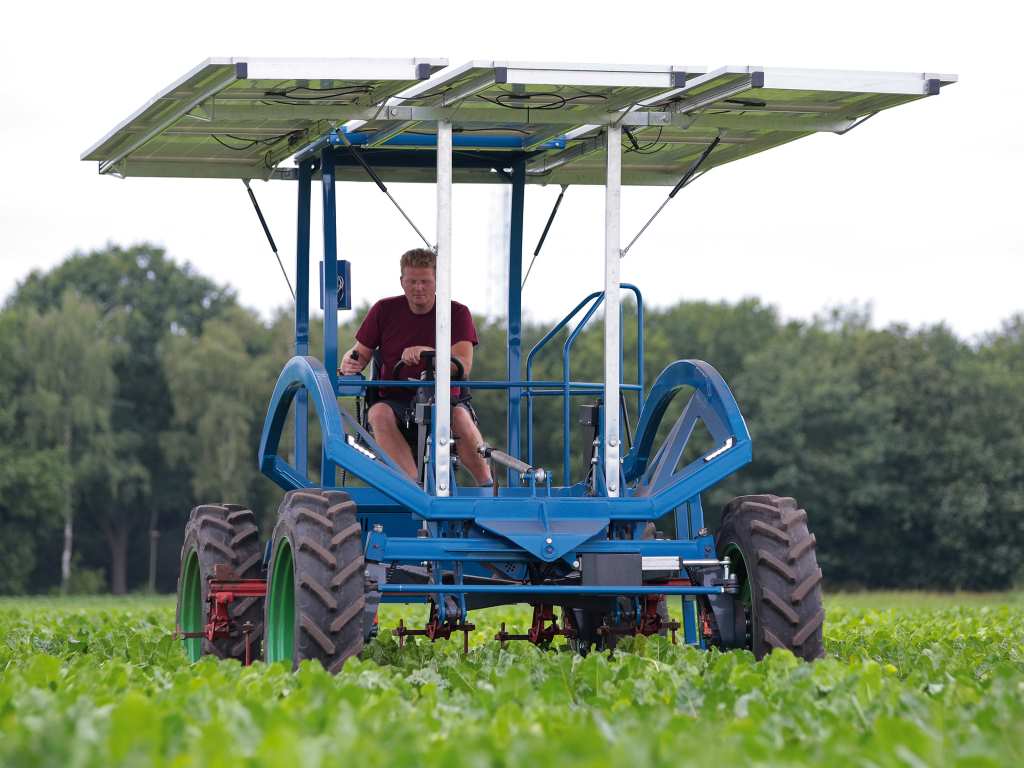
point(443, 311)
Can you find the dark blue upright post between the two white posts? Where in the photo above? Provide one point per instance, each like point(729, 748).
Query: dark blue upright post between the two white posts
point(516, 310)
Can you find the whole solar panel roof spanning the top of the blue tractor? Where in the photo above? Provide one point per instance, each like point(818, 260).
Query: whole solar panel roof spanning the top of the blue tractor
point(243, 118)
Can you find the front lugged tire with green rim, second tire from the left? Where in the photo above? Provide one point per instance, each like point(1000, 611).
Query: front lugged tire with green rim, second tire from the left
point(316, 604)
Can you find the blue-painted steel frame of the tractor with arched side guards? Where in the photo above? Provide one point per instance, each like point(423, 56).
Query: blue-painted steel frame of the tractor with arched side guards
point(524, 524)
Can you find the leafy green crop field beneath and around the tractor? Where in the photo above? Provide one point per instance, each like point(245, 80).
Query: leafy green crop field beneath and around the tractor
point(910, 680)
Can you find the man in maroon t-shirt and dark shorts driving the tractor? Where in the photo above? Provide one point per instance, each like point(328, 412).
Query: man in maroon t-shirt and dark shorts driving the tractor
point(402, 327)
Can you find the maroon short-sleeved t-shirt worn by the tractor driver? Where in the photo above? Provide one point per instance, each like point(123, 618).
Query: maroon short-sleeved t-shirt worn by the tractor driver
point(393, 327)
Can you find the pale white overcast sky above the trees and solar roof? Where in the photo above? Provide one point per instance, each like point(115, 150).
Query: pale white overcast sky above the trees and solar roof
point(917, 212)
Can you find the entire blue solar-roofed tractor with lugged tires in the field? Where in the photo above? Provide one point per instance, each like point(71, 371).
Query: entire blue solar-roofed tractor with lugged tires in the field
point(585, 549)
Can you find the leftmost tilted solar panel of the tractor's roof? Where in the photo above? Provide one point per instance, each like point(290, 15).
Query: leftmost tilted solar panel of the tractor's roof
point(239, 118)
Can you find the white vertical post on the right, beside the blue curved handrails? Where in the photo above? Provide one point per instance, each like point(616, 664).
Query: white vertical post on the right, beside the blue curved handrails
point(613, 196)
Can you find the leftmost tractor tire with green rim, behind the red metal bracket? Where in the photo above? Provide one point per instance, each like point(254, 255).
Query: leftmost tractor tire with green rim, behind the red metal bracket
point(219, 535)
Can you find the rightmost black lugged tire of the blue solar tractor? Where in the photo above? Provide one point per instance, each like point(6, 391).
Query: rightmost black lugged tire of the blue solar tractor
point(773, 556)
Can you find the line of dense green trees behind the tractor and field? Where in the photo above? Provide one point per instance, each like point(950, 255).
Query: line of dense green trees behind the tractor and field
point(135, 389)
